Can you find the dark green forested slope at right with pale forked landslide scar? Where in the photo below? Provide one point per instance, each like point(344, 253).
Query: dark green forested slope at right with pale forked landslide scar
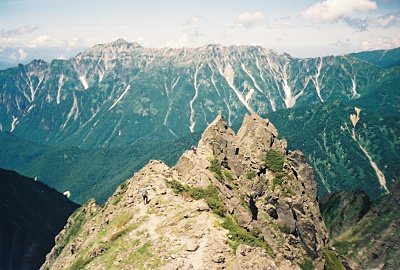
point(344, 160)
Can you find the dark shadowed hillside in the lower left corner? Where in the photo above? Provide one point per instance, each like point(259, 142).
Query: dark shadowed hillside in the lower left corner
point(31, 215)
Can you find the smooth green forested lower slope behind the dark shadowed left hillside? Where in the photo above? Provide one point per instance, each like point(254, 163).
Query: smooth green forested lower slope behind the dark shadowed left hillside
point(86, 173)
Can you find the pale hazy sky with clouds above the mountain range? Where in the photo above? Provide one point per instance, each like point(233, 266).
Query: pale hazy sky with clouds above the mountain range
point(50, 29)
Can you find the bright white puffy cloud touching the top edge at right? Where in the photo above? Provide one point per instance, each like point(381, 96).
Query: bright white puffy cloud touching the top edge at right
point(332, 10)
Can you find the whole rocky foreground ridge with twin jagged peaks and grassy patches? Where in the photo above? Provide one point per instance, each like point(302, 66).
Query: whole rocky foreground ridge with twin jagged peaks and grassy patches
point(236, 201)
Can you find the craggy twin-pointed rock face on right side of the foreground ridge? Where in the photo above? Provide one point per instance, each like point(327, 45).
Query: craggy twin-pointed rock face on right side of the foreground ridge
point(280, 205)
